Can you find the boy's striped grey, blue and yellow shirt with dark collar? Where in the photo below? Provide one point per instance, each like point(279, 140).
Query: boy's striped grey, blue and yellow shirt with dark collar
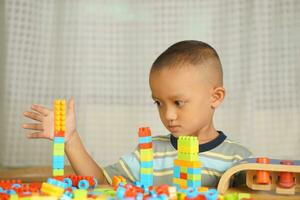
point(216, 157)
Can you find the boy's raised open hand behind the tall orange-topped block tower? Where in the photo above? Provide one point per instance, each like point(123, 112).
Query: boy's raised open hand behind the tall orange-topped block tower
point(44, 118)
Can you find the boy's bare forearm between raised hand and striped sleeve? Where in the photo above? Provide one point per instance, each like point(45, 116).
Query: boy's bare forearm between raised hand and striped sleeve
point(81, 161)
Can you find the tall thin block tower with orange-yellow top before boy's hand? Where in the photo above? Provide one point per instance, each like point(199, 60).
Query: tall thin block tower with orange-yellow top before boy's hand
point(59, 140)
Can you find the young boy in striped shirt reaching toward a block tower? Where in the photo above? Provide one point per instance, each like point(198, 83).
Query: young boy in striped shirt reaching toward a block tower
point(187, 86)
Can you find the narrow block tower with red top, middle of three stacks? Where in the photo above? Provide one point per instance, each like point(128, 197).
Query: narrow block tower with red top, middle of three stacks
point(146, 157)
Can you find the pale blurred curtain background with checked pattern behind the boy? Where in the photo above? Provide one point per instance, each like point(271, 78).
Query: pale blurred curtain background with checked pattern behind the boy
point(100, 52)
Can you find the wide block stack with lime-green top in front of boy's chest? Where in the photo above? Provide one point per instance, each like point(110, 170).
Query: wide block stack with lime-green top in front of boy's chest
point(187, 167)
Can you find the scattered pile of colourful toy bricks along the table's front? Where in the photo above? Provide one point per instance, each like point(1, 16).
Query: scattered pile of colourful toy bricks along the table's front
point(85, 188)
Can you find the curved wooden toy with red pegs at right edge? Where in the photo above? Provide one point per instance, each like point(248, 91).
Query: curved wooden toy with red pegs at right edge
point(280, 176)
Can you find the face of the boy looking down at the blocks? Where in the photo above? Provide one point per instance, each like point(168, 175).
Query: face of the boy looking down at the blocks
point(183, 98)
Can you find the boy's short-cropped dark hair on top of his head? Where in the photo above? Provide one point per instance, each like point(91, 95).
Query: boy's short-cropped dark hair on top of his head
point(191, 52)
